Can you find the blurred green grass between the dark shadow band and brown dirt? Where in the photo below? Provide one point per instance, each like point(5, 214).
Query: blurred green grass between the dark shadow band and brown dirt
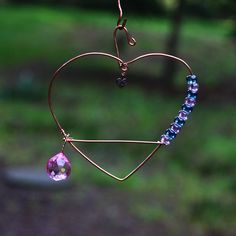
point(195, 173)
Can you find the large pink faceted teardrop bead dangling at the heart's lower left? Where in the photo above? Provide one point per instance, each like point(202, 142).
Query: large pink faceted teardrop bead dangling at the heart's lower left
point(58, 167)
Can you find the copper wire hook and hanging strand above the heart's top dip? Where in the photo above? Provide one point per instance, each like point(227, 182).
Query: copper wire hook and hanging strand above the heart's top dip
point(122, 26)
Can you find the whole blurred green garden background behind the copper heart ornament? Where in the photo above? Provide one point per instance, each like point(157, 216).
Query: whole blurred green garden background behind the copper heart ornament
point(189, 187)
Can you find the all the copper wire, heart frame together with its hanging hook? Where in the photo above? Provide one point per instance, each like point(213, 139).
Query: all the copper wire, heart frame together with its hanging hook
point(123, 67)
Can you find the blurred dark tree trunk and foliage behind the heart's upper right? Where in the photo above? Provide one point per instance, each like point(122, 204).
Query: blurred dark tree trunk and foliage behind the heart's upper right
point(225, 9)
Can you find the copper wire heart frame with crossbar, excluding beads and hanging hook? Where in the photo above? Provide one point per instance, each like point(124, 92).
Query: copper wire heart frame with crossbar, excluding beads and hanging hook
point(72, 141)
